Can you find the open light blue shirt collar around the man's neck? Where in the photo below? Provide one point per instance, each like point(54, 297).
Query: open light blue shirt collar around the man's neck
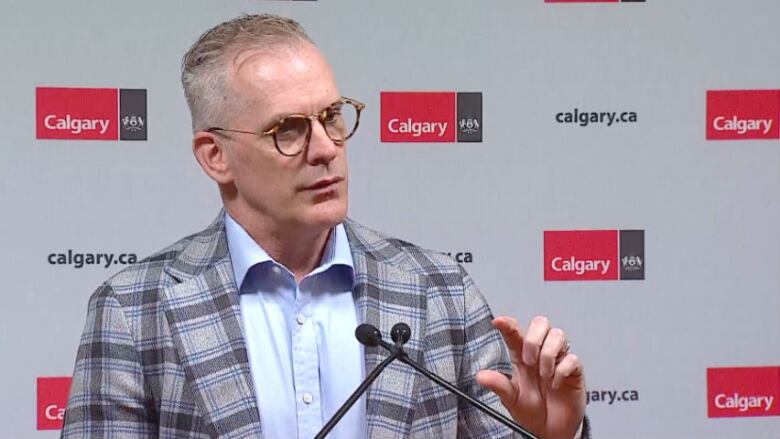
point(246, 253)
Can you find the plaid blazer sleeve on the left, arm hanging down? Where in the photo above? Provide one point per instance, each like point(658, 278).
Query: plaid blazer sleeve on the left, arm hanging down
point(108, 397)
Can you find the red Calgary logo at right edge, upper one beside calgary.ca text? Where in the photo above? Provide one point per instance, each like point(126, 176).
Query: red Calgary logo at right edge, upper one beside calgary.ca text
point(743, 114)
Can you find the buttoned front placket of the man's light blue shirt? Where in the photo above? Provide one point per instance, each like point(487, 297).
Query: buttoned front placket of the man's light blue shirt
point(306, 367)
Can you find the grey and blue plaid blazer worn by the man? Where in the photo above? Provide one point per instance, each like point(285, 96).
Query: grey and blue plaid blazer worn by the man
point(163, 355)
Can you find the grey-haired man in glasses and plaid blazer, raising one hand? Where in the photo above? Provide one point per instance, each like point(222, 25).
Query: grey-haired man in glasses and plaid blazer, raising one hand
point(245, 329)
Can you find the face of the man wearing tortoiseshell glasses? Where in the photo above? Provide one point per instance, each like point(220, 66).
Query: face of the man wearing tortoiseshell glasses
point(306, 192)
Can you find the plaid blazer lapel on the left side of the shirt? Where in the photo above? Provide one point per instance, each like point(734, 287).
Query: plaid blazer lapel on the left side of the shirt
point(204, 316)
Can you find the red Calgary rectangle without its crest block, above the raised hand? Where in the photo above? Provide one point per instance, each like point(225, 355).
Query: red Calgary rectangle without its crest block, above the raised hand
point(581, 255)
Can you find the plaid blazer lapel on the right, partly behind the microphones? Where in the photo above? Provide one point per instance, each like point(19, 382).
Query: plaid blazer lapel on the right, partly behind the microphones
point(386, 295)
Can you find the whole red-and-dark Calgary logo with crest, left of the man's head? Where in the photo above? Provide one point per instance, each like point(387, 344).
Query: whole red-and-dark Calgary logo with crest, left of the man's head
point(90, 113)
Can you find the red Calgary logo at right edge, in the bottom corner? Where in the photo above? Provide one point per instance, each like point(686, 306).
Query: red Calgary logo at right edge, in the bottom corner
point(743, 391)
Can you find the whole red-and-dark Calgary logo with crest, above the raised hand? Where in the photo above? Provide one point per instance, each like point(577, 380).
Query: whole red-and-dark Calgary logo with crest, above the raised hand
point(594, 255)
